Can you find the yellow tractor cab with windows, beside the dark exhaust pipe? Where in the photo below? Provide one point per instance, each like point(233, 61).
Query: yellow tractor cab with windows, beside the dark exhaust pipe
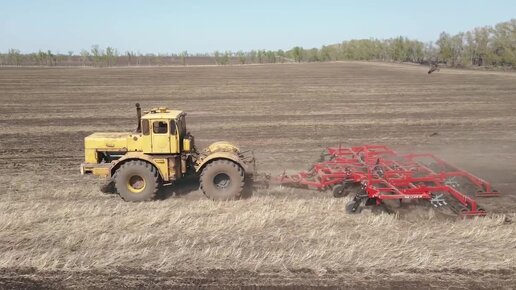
point(163, 131)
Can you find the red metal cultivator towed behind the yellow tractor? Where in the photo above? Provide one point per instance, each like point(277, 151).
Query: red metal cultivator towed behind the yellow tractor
point(378, 173)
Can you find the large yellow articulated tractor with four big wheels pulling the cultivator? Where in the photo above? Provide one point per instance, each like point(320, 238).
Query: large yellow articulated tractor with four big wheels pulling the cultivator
point(161, 151)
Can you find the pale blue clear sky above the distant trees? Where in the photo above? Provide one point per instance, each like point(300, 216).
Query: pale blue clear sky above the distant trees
point(159, 26)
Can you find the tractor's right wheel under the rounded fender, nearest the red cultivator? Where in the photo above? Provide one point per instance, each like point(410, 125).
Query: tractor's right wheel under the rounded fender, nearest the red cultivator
point(222, 180)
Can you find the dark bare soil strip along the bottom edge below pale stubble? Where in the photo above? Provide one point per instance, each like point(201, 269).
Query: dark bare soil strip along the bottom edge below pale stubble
point(229, 279)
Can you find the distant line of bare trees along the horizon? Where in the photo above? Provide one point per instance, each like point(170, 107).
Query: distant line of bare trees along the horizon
point(489, 46)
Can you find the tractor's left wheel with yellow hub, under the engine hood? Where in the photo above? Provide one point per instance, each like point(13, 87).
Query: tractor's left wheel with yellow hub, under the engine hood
point(137, 181)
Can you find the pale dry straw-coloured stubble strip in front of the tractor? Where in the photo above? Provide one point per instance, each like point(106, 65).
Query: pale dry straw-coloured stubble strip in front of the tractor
point(267, 233)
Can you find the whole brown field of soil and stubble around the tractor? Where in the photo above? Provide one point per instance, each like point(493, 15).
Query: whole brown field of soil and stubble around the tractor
point(58, 230)
